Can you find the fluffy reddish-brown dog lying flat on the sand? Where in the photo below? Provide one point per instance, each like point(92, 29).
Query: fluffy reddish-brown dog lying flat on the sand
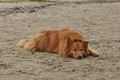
point(65, 42)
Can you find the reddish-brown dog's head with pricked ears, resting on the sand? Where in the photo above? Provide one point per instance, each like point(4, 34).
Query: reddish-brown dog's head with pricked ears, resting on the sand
point(78, 48)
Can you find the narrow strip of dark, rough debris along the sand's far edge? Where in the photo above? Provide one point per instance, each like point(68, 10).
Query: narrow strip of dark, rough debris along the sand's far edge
point(31, 9)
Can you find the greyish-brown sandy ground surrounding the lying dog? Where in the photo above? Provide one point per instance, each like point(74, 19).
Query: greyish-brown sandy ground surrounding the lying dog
point(99, 23)
